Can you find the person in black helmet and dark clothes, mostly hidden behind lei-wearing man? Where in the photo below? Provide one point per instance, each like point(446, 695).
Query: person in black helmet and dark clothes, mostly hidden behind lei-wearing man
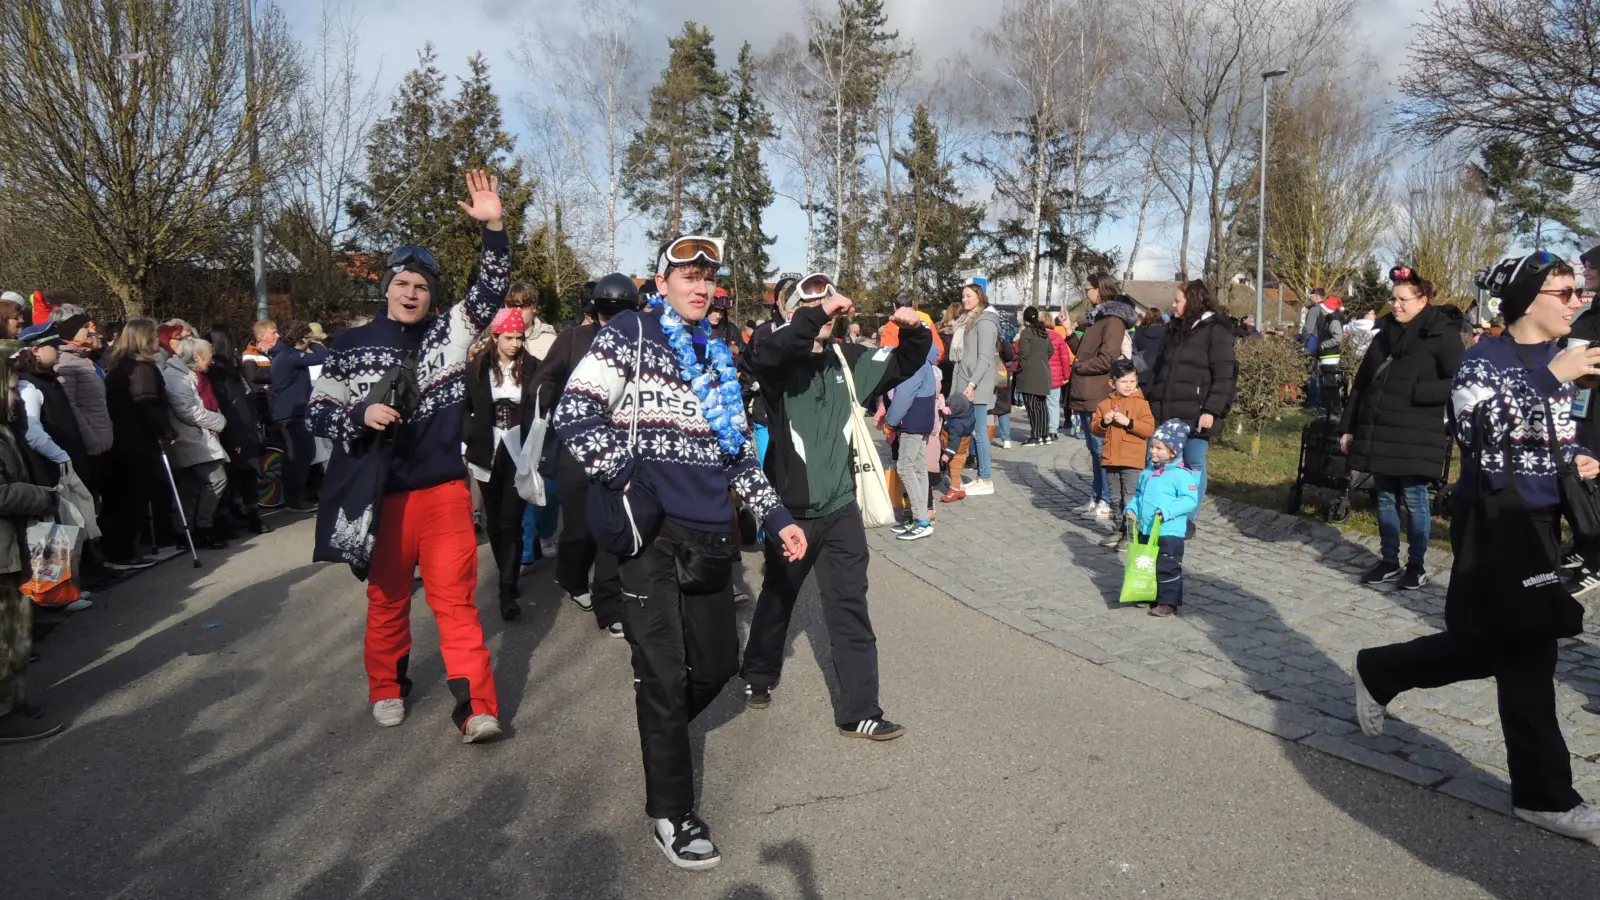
point(577, 552)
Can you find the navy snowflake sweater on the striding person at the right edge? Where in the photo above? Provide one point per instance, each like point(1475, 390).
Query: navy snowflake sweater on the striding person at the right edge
point(1500, 404)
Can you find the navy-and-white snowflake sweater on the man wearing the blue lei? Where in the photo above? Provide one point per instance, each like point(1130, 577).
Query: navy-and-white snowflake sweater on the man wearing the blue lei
point(690, 470)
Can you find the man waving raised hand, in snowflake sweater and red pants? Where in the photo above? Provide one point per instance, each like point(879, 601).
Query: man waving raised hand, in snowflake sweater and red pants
point(426, 510)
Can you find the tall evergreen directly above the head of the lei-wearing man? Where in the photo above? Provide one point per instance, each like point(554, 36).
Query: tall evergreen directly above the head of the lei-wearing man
point(674, 161)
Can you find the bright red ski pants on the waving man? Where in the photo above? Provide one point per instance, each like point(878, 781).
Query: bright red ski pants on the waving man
point(431, 528)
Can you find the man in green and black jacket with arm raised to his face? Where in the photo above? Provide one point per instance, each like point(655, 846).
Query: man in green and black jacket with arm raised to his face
point(809, 460)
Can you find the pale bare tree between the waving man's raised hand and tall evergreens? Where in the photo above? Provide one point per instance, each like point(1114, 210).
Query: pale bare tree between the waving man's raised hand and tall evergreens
point(588, 94)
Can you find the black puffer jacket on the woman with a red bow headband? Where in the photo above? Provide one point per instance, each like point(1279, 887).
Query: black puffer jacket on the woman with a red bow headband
point(1399, 408)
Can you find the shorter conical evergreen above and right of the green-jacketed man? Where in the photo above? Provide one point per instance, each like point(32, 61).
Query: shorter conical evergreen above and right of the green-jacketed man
point(937, 230)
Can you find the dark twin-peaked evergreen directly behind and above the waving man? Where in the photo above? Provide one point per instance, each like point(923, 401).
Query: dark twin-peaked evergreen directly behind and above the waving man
point(417, 169)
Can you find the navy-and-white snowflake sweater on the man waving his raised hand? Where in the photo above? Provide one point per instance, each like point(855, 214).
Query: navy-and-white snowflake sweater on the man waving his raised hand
point(428, 452)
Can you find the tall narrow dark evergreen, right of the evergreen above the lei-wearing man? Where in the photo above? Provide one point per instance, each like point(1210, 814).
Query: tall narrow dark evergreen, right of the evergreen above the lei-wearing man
point(748, 191)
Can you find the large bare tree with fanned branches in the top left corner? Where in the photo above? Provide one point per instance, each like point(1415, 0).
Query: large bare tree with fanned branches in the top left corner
point(124, 129)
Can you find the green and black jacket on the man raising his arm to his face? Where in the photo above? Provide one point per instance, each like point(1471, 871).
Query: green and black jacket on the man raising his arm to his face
point(809, 406)
